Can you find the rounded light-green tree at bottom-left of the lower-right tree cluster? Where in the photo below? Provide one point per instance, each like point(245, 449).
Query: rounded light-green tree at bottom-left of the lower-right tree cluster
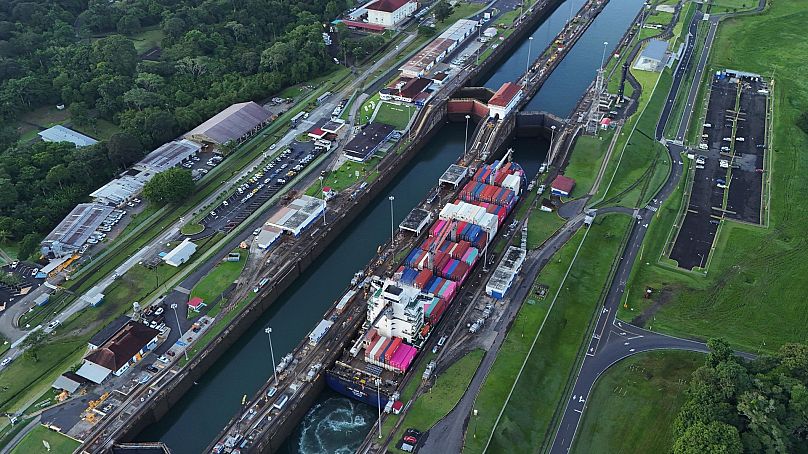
point(711, 438)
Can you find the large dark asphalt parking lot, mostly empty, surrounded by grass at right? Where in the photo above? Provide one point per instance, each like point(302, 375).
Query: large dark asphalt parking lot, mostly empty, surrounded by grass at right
point(728, 167)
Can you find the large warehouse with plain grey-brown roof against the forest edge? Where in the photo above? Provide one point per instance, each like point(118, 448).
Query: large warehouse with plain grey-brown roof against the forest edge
point(235, 123)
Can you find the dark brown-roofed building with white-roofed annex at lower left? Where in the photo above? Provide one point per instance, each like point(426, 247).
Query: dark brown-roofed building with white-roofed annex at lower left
point(125, 348)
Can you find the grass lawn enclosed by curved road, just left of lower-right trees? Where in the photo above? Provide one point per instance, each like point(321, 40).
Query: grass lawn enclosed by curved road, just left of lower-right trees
point(639, 393)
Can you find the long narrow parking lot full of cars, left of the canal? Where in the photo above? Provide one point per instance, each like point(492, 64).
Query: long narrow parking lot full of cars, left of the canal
point(263, 183)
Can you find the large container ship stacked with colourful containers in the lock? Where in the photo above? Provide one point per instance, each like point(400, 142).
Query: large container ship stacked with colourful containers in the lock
point(404, 308)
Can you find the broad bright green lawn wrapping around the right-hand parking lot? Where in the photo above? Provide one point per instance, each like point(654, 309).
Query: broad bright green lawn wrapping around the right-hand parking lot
point(753, 294)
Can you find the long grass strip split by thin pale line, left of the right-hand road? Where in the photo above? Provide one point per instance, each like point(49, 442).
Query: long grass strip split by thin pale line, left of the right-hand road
point(527, 418)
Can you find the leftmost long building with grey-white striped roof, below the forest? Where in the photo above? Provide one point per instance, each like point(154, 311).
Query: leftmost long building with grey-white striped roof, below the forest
point(74, 230)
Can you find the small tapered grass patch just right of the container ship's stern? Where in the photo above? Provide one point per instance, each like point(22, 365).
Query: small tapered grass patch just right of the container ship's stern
point(439, 400)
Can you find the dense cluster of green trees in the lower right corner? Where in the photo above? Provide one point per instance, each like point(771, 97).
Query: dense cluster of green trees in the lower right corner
point(734, 406)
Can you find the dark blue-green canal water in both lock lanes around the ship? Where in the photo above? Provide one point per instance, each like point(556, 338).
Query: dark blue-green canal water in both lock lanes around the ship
point(337, 424)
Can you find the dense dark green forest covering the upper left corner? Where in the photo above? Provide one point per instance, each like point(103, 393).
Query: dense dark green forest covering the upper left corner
point(80, 53)
